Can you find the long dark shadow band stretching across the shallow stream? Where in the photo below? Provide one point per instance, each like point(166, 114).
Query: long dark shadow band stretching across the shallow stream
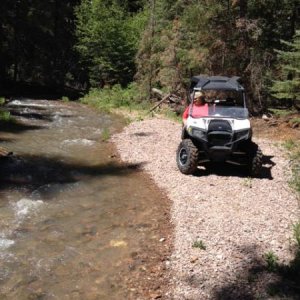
point(31, 172)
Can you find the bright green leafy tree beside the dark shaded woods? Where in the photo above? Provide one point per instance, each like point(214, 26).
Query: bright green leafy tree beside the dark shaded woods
point(107, 41)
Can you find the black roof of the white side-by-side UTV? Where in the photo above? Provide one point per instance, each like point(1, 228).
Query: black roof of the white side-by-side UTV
point(216, 83)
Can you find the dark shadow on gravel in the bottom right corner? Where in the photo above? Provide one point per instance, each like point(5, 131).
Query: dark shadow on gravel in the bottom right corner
point(262, 279)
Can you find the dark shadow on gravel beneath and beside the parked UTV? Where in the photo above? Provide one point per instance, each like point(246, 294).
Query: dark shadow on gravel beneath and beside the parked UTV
point(227, 169)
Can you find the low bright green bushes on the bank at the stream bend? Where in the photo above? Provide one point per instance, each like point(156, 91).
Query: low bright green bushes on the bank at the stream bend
point(115, 97)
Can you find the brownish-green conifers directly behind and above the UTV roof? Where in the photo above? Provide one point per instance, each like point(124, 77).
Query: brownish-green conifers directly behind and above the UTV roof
point(185, 38)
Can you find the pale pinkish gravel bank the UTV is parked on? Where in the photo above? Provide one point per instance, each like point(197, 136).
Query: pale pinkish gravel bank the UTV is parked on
point(238, 219)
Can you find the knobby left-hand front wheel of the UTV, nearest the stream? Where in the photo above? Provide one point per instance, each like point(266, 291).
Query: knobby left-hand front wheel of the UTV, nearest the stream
point(187, 157)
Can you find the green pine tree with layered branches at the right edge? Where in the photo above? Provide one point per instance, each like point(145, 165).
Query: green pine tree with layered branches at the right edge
point(288, 87)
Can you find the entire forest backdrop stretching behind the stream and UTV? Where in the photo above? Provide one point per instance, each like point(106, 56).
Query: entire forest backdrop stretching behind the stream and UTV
point(126, 48)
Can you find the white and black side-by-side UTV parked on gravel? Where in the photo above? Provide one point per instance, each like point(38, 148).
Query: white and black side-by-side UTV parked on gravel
point(223, 133)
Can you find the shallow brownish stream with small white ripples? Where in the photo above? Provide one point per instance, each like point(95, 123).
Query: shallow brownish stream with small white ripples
point(71, 216)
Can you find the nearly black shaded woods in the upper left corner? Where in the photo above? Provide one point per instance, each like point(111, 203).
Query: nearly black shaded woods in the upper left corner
point(36, 41)
